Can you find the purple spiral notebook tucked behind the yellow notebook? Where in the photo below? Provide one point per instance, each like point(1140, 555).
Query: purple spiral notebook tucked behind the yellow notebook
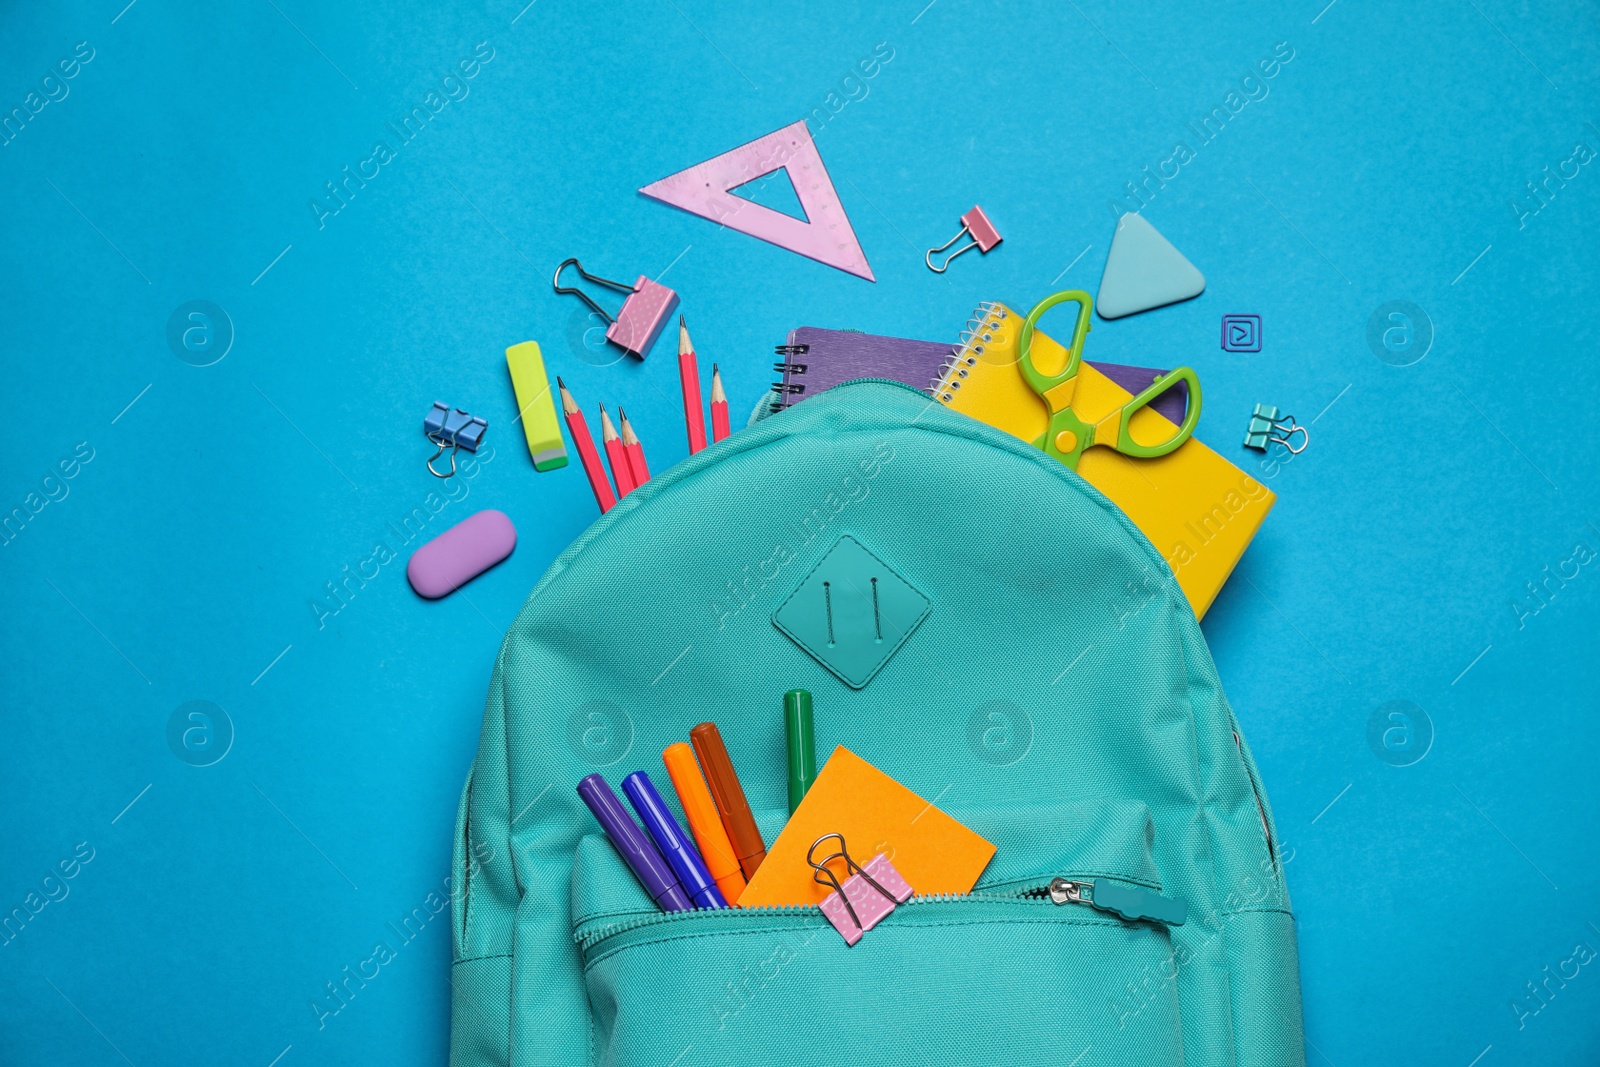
point(815, 361)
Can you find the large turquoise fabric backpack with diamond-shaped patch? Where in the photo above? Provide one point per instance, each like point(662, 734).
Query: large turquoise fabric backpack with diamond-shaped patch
point(1055, 697)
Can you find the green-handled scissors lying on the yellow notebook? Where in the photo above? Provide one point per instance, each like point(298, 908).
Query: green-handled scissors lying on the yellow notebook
point(1070, 436)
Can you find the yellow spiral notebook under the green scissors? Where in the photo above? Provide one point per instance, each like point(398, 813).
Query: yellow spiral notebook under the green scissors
point(1196, 508)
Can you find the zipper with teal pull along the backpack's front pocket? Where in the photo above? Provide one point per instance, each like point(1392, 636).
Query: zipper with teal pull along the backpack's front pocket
point(1130, 905)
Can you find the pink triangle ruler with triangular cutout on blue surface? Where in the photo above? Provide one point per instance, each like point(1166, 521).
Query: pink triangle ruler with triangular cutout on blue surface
point(825, 236)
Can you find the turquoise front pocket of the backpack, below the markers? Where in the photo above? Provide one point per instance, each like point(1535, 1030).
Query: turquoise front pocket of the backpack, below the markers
point(1002, 975)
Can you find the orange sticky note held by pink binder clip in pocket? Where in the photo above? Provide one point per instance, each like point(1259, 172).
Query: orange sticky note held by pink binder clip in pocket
point(876, 815)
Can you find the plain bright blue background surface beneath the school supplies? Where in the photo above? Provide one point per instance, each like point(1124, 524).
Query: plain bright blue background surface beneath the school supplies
point(183, 561)
